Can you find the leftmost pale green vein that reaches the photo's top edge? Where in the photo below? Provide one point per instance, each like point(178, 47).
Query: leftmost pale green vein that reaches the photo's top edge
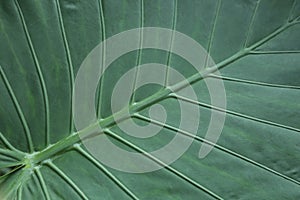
point(39, 72)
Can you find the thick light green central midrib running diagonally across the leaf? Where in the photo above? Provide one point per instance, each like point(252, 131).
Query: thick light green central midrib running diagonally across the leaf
point(106, 123)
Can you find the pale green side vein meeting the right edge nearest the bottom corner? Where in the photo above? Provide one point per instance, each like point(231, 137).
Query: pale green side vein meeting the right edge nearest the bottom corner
point(224, 149)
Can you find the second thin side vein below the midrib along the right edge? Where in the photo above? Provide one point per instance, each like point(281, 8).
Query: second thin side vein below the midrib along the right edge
point(254, 82)
